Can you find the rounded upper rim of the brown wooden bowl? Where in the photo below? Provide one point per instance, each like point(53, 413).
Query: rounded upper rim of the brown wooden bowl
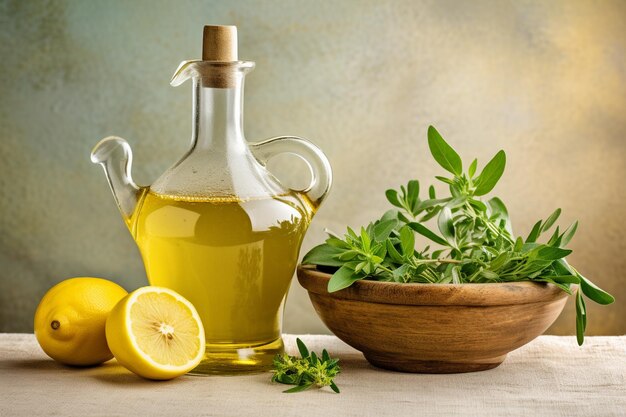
point(487, 294)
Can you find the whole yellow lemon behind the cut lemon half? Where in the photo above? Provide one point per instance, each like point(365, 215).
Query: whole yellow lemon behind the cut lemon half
point(70, 320)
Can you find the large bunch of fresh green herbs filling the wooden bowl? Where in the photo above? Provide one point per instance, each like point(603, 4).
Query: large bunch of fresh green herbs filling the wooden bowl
point(474, 242)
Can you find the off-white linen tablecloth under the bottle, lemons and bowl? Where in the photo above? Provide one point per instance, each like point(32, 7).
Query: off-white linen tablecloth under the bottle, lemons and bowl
point(551, 376)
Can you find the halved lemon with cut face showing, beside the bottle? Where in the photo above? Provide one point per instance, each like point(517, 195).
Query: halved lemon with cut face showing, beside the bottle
point(156, 333)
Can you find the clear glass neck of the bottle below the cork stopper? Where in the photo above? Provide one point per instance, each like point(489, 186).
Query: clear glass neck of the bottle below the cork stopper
point(218, 115)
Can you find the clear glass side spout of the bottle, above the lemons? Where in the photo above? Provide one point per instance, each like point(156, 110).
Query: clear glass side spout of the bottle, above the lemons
point(115, 156)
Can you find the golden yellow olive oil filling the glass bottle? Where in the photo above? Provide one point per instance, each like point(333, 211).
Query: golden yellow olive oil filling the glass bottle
point(233, 260)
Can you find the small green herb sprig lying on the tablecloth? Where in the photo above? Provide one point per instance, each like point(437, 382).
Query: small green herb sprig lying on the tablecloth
point(306, 371)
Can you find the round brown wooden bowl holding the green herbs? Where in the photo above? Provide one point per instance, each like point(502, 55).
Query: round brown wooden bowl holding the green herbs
point(434, 328)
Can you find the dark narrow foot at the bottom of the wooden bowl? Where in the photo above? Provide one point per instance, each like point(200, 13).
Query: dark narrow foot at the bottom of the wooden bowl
point(433, 367)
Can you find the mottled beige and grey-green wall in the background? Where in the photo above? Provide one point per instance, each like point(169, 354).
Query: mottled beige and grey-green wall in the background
point(546, 81)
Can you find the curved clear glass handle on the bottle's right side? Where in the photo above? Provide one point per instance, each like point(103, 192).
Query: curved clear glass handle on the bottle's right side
point(321, 173)
